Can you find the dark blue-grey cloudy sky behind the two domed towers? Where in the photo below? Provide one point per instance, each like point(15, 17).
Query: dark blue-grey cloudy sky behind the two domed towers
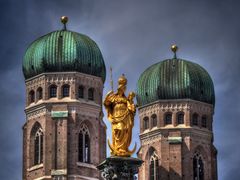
point(132, 35)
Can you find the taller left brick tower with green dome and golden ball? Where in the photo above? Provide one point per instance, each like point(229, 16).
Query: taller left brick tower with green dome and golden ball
point(64, 136)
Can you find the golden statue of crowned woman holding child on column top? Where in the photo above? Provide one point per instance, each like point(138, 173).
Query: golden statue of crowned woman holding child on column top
point(121, 111)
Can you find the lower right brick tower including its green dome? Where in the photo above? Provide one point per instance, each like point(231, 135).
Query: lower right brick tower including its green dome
point(176, 99)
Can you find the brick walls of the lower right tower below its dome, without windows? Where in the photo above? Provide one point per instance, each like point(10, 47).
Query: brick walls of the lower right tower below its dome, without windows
point(176, 144)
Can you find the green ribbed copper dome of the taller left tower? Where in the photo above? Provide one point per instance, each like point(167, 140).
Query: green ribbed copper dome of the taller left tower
point(62, 51)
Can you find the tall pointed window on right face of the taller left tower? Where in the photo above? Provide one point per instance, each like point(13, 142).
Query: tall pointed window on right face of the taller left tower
point(84, 145)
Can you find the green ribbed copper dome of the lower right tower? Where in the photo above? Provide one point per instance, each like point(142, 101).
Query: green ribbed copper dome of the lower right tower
point(175, 79)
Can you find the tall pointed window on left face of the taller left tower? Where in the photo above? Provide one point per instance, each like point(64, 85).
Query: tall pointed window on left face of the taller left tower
point(37, 144)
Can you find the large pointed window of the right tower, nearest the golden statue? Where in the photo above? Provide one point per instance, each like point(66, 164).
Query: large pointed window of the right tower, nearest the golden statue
point(154, 167)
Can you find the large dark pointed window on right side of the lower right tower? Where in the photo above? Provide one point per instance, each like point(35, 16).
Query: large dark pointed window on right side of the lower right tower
point(198, 167)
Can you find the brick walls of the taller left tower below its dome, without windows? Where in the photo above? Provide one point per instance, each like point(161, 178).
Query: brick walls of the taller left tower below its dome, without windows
point(60, 134)
